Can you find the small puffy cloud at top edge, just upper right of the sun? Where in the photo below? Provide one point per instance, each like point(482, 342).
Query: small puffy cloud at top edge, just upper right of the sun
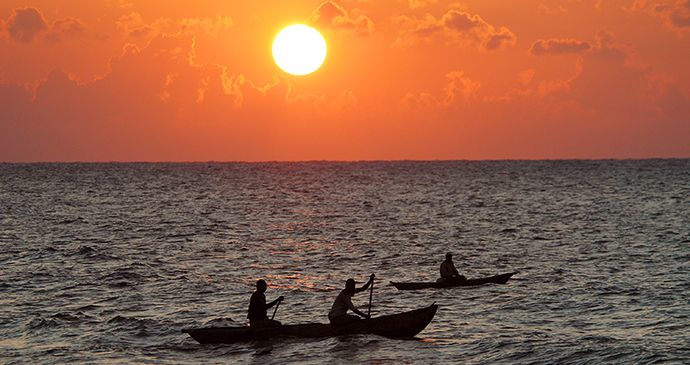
point(330, 15)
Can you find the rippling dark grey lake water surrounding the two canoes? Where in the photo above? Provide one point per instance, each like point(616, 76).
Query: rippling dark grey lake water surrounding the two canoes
point(106, 263)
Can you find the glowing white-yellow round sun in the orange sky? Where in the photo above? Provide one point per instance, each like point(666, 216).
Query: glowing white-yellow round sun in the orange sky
point(299, 49)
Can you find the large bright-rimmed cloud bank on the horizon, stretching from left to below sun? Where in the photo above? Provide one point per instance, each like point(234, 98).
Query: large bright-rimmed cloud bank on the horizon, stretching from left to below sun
point(157, 103)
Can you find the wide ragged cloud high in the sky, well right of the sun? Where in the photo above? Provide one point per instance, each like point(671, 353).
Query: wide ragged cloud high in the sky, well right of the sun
point(456, 27)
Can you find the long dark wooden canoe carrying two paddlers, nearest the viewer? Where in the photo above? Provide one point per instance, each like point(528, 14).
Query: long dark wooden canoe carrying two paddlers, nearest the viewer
point(402, 325)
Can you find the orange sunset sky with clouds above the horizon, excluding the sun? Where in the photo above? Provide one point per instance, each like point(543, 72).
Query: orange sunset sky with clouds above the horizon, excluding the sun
point(173, 80)
